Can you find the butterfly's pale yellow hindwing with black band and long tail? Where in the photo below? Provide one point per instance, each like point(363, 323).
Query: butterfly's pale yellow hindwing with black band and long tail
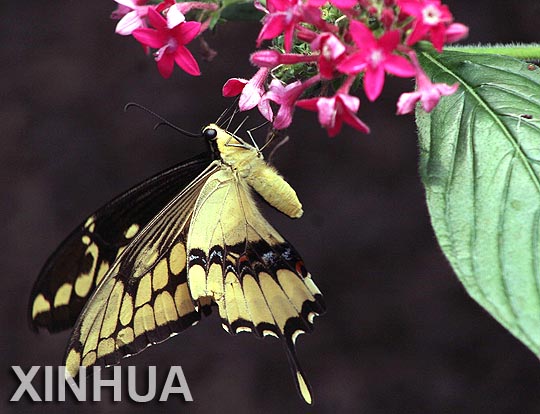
point(240, 262)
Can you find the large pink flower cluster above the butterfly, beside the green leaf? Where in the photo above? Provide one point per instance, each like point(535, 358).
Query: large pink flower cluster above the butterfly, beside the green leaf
point(368, 39)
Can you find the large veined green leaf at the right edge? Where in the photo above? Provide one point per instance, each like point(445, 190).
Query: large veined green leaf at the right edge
point(480, 165)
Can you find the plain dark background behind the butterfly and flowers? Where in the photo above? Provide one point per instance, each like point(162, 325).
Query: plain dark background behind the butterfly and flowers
point(401, 335)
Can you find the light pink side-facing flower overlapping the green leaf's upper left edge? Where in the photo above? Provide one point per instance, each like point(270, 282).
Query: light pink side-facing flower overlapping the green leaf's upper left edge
point(427, 92)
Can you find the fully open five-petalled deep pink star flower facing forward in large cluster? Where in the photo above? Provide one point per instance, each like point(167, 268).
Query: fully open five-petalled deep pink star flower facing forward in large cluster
point(375, 56)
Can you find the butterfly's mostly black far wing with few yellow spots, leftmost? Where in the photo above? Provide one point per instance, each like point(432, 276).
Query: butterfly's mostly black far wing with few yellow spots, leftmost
point(71, 274)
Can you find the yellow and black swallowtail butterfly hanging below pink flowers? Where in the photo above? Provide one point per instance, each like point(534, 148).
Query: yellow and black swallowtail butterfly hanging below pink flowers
point(148, 264)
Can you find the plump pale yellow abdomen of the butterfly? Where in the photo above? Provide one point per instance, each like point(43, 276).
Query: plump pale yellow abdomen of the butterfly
point(274, 189)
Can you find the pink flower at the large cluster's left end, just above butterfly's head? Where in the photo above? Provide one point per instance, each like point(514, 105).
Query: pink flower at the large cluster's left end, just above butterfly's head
point(250, 92)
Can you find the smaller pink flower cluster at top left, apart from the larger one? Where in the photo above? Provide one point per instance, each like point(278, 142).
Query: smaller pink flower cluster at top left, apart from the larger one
point(163, 27)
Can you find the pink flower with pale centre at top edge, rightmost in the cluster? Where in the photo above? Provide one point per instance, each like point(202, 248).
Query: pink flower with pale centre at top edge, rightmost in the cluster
point(431, 18)
